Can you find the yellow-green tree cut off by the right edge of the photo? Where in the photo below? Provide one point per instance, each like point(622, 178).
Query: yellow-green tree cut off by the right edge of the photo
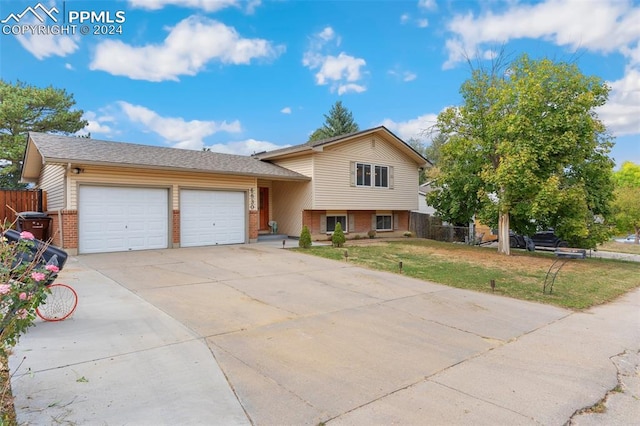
point(626, 206)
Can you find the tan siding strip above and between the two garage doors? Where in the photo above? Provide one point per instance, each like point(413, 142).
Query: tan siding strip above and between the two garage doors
point(93, 175)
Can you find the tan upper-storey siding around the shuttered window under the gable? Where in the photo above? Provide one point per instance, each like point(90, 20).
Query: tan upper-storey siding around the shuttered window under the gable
point(332, 182)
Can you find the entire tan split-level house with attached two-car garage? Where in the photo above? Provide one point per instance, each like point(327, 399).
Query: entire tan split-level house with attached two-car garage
point(111, 196)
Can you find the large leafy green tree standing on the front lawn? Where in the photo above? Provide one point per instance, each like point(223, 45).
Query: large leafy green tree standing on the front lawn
point(526, 151)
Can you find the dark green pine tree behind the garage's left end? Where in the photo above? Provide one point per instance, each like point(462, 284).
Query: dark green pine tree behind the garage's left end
point(25, 108)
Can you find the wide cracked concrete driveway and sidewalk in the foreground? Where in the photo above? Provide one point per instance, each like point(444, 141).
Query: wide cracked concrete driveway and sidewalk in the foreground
point(304, 340)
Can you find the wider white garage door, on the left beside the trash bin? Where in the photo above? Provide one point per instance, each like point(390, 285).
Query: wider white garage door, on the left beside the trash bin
point(122, 219)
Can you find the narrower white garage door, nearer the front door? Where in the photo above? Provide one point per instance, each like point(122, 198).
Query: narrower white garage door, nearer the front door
point(211, 217)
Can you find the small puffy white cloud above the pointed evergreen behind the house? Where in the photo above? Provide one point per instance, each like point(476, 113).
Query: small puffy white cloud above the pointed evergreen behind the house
point(342, 72)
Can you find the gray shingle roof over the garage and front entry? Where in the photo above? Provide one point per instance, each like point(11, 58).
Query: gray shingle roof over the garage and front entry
point(82, 150)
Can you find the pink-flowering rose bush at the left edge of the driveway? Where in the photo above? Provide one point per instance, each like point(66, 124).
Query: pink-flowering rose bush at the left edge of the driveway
point(23, 280)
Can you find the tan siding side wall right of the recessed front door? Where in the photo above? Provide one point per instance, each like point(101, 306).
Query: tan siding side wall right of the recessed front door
point(289, 200)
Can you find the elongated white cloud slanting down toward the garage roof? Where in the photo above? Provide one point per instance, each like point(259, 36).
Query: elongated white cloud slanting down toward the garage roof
point(178, 132)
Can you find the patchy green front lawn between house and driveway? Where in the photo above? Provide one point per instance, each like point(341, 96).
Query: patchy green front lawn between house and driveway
point(579, 285)
